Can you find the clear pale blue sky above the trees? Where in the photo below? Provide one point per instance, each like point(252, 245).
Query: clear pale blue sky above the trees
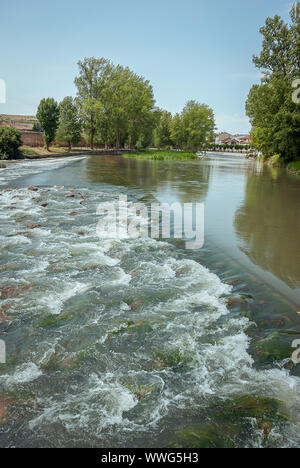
point(192, 49)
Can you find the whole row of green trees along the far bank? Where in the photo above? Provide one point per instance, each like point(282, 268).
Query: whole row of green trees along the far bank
point(115, 107)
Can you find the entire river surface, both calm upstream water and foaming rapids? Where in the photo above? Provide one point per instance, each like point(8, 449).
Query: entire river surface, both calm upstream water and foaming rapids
point(132, 342)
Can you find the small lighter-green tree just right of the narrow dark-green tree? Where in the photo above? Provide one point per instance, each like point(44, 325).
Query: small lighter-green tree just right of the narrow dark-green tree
point(69, 128)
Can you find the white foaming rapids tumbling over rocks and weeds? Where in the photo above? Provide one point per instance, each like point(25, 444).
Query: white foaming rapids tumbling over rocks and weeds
point(112, 342)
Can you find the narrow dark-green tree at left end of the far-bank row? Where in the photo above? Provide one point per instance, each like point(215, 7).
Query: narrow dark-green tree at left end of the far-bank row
point(48, 116)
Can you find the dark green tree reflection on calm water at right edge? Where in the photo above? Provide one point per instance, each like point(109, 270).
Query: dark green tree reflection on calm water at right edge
point(268, 223)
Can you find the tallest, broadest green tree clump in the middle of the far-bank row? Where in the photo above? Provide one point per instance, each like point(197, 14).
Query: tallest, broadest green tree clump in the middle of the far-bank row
point(116, 106)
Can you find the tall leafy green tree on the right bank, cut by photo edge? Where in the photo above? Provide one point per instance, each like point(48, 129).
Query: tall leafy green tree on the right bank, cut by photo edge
point(274, 116)
